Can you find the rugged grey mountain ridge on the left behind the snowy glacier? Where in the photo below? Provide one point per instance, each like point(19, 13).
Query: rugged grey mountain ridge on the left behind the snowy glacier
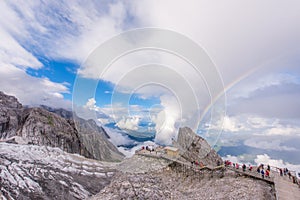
point(54, 129)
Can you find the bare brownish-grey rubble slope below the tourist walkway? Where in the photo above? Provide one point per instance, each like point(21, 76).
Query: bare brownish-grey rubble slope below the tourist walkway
point(169, 183)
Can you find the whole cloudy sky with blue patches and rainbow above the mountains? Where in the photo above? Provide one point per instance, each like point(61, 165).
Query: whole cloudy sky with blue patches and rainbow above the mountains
point(245, 96)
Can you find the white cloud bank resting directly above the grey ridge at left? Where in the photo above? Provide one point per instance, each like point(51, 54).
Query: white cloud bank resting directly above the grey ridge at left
point(30, 90)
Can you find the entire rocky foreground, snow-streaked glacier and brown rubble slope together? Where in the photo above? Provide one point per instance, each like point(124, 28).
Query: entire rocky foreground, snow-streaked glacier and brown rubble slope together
point(35, 172)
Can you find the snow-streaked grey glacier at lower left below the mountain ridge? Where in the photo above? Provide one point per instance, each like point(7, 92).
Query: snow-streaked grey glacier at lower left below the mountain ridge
point(41, 172)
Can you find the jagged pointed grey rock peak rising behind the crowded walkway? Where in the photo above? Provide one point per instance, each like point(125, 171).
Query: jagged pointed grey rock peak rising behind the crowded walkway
point(195, 148)
